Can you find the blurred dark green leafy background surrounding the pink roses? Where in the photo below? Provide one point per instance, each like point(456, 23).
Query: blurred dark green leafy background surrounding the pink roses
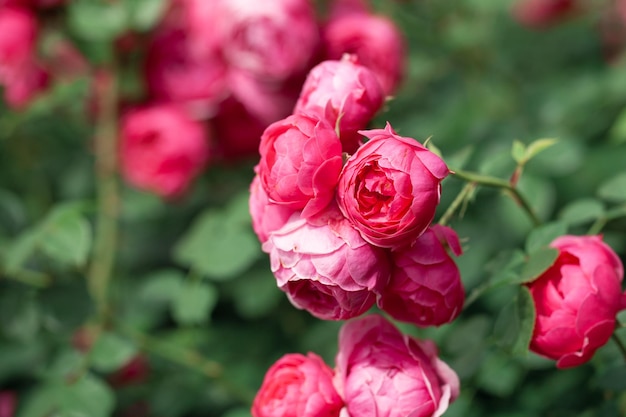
point(191, 290)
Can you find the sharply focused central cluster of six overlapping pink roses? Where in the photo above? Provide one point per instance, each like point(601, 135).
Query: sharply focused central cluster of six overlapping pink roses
point(343, 236)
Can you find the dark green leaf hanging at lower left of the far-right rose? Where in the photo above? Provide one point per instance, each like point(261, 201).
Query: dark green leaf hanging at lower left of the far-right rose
point(515, 323)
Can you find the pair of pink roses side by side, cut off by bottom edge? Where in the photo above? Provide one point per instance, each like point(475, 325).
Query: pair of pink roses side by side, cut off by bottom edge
point(378, 372)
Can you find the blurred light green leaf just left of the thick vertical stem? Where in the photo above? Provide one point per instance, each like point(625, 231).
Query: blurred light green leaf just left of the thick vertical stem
point(65, 235)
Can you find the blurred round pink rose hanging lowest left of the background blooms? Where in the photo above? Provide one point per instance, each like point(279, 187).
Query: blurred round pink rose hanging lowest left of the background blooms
point(162, 149)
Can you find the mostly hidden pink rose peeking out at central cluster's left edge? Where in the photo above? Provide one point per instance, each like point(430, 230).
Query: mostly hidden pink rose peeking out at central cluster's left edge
point(266, 217)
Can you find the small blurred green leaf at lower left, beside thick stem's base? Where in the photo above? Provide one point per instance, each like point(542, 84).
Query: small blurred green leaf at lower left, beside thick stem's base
point(111, 352)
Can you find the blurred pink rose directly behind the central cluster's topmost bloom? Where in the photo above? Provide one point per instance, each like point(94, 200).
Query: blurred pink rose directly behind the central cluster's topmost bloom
point(374, 39)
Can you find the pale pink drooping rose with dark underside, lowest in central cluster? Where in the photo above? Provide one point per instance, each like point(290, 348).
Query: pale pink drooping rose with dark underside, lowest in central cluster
point(325, 267)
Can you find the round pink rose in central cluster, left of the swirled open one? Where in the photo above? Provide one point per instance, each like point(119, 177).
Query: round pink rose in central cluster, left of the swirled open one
point(300, 163)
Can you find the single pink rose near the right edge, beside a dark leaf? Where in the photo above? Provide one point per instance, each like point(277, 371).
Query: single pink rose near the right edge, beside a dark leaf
point(577, 300)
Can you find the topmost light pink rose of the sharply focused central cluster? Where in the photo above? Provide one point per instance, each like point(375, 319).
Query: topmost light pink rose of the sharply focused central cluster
point(342, 91)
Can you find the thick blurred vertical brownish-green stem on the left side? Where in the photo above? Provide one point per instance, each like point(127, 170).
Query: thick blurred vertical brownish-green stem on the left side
point(103, 257)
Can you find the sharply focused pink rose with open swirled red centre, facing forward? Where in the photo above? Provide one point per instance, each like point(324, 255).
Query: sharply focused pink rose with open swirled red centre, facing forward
point(389, 189)
